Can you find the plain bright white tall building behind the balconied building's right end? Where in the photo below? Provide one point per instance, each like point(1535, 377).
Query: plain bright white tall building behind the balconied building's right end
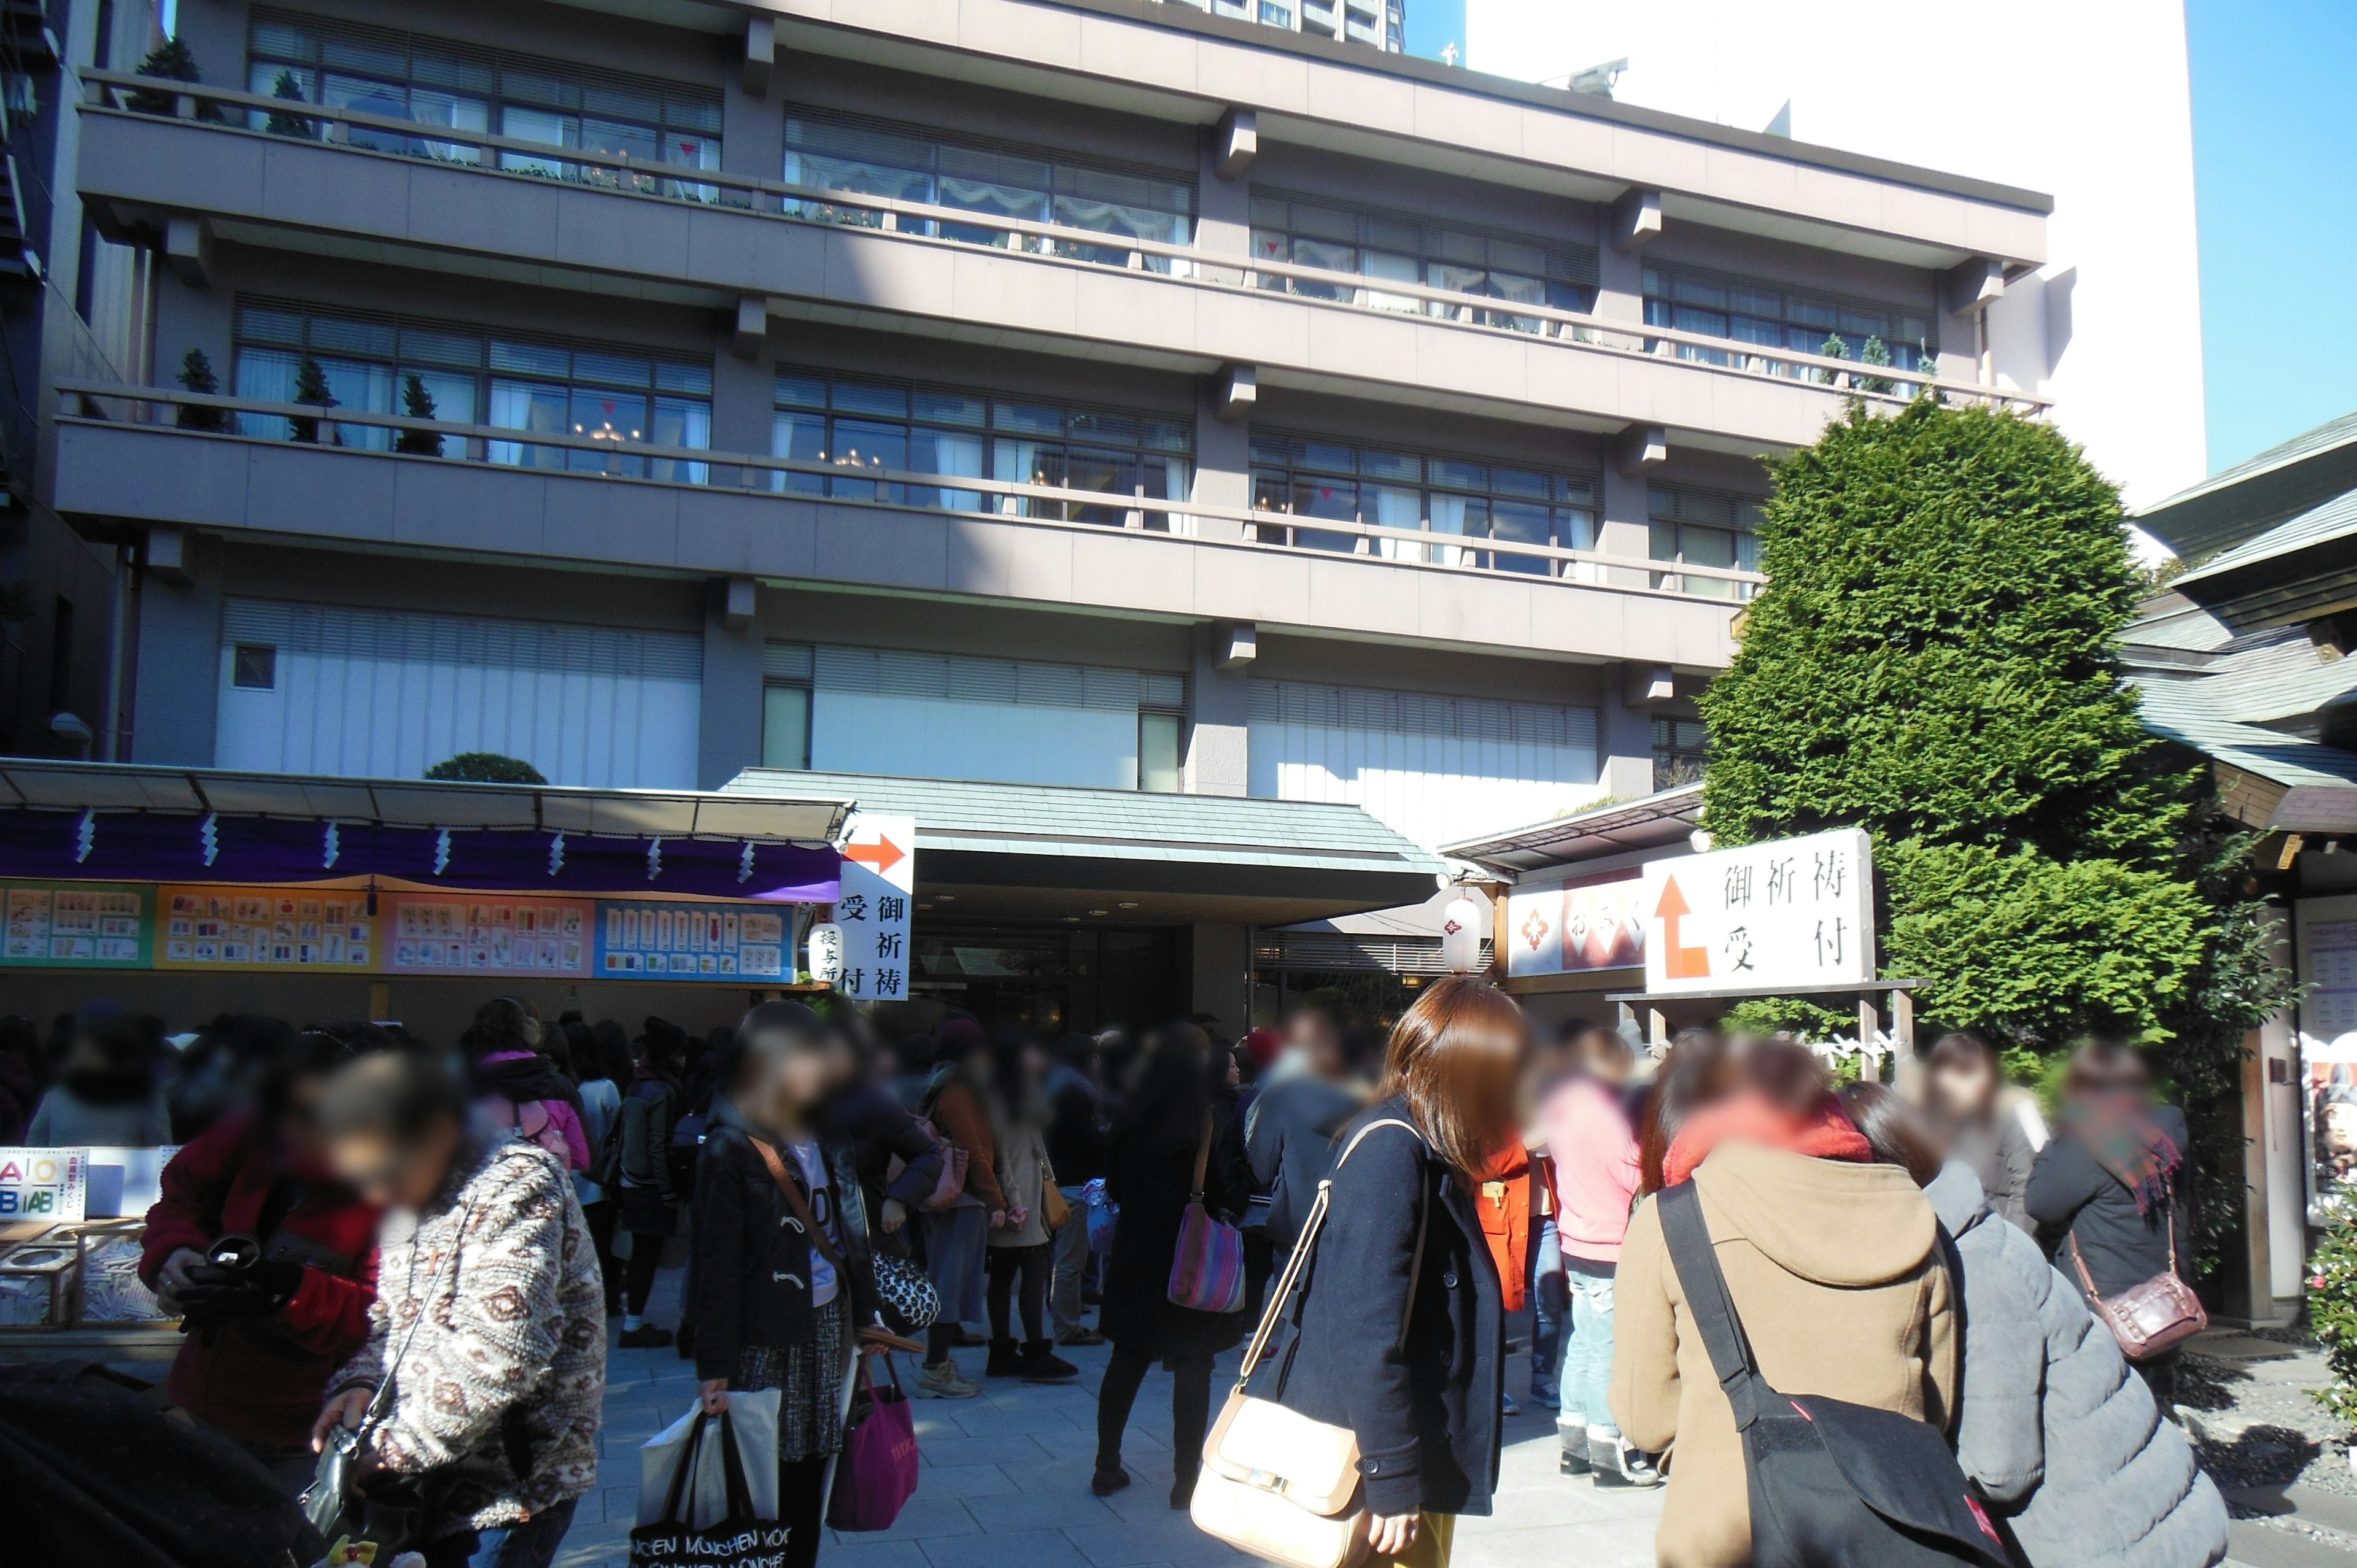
point(2089, 103)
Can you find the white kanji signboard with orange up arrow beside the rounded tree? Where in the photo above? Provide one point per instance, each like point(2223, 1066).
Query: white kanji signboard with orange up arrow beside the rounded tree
point(1764, 916)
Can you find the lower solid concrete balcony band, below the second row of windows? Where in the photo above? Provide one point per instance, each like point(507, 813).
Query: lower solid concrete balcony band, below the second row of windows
point(119, 480)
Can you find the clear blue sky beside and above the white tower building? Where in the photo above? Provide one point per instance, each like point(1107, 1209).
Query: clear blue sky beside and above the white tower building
point(2276, 183)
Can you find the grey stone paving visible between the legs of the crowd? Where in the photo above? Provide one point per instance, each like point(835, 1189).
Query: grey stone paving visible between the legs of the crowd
point(1008, 1482)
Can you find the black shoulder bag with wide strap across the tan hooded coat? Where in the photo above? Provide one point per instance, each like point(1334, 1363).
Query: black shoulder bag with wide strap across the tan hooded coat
point(1833, 1484)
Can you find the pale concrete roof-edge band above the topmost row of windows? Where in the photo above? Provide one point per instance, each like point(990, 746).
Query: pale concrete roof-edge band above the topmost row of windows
point(1182, 65)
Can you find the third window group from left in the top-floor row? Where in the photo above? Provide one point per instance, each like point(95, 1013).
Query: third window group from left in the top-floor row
point(1404, 249)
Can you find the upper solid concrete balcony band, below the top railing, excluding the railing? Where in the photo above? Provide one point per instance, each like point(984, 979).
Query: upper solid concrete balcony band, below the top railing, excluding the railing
point(140, 173)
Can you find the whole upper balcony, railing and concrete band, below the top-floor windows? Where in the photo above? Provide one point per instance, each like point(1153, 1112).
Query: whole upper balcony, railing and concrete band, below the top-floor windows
point(345, 183)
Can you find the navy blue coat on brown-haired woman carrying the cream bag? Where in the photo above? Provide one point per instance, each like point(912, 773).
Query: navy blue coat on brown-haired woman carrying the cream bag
point(1425, 1404)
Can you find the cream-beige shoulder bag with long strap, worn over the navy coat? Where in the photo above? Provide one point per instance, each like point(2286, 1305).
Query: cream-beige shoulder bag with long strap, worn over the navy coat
point(1274, 1482)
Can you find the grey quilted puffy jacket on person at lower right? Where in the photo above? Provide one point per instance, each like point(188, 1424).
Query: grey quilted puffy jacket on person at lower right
point(2056, 1430)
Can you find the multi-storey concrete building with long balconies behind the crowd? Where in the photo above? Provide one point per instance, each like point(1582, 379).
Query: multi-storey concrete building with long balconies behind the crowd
point(1163, 426)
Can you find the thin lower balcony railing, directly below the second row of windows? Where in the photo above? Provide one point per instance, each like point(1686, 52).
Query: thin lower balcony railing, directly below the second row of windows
point(1034, 506)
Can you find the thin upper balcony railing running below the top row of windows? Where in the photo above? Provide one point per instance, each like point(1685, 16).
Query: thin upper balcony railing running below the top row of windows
point(937, 225)
